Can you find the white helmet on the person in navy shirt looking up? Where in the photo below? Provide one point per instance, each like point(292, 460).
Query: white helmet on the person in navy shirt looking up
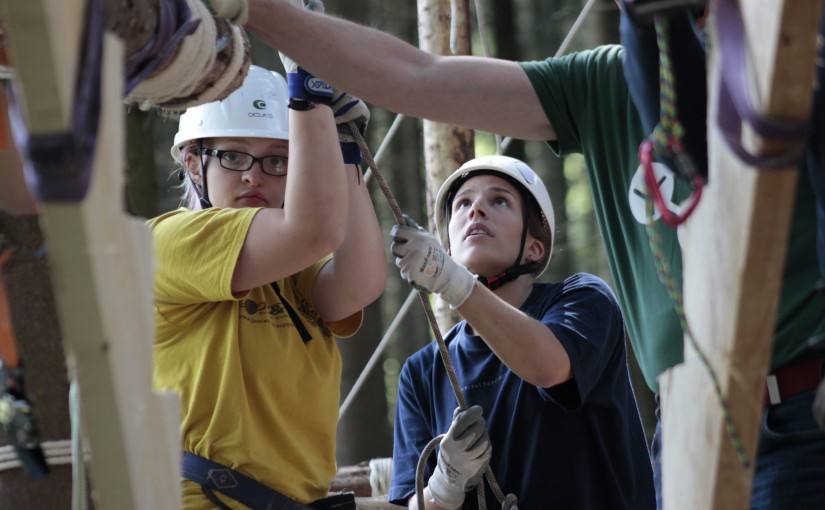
point(513, 168)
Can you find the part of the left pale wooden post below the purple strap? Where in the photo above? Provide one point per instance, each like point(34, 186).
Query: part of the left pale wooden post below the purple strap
point(101, 265)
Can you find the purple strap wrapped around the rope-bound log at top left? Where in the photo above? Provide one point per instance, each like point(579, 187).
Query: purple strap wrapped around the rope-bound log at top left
point(174, 23)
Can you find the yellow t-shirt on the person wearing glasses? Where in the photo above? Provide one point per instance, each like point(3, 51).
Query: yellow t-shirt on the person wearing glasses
point(254, 396)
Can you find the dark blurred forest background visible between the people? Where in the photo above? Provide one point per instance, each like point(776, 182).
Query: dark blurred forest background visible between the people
point(515, 30)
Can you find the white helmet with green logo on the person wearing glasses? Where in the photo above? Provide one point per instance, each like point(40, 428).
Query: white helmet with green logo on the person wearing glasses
point(257, 109)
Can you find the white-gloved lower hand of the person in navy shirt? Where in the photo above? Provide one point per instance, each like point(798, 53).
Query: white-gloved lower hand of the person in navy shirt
point(463, 458)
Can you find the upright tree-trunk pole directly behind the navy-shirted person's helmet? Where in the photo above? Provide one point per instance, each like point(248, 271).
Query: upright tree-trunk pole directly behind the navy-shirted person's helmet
point(446, 147)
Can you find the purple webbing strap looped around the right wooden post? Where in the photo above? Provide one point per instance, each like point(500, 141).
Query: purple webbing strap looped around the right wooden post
point(735, 104)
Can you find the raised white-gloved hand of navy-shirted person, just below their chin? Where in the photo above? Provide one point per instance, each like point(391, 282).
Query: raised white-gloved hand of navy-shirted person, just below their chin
point(425, 264)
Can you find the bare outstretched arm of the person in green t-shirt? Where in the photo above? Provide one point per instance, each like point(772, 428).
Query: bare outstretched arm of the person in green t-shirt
point(480, 93)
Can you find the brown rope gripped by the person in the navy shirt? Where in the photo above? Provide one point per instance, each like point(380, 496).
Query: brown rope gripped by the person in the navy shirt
point(510, 500)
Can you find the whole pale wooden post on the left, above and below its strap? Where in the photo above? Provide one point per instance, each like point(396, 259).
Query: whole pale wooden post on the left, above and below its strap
point(101, 270)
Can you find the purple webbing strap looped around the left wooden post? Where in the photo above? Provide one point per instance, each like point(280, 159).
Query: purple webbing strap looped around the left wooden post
point(60, 164)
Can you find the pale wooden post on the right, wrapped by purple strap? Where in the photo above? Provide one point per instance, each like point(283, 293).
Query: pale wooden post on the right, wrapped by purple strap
point(734, 251)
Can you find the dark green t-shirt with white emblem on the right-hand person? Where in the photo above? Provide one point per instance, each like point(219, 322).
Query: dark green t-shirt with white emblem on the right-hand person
point(587, 101)
